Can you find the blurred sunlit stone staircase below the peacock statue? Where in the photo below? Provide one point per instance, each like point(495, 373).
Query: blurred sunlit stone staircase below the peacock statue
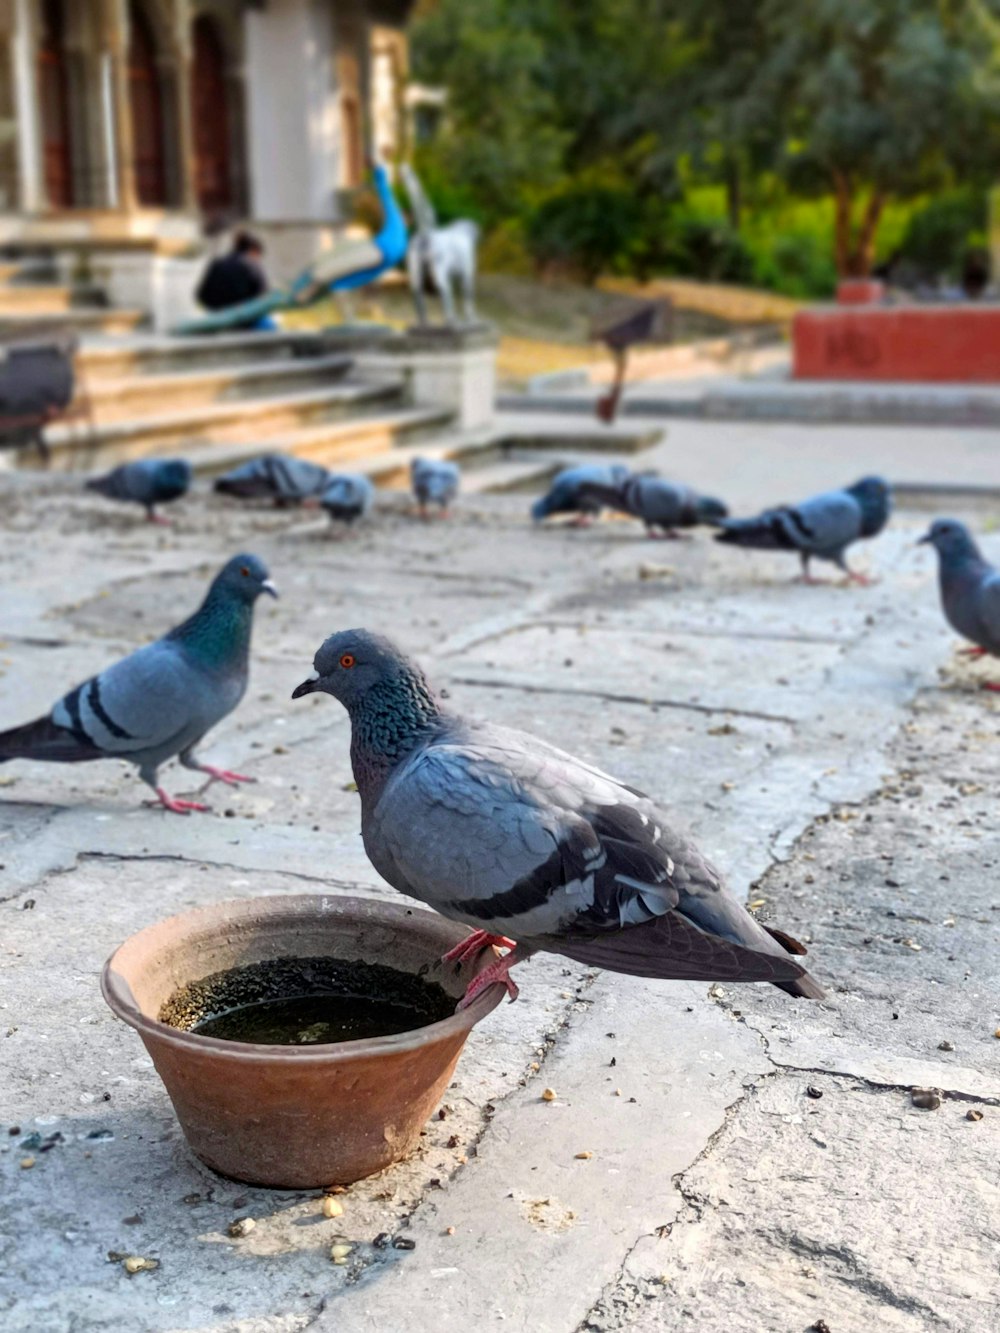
point(223, 401)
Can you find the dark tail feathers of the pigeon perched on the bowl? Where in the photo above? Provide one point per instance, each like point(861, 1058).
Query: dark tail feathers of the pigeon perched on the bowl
point(673, 948)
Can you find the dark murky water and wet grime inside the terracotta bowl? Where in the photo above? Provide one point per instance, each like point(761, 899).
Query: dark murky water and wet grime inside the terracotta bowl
point(306, 1002)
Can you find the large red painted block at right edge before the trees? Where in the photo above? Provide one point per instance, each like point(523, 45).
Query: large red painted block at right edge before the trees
point(945, 345)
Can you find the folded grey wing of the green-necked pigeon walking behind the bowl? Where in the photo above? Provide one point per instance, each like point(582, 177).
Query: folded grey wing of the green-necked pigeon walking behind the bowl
point(143, 703)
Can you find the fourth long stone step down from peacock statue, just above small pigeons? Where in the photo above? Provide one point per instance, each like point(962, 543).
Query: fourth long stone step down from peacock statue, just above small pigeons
point(362, 445)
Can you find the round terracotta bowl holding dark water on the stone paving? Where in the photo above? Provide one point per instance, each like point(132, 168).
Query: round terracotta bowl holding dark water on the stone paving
point(297, 1116)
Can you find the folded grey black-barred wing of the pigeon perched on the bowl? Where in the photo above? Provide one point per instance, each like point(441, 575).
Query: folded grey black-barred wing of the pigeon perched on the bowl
point(525, 840)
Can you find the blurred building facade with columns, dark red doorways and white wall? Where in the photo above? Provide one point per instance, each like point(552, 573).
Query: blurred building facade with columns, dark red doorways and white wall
point(154, 118)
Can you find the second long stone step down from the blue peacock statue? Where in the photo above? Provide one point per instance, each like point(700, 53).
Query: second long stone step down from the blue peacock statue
point(151, 395)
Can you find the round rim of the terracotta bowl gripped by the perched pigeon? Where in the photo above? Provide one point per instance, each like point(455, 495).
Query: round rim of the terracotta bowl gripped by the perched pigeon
point(121, 1000)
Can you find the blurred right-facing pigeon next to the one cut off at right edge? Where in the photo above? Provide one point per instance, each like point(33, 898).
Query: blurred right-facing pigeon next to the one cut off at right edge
point(823, 527)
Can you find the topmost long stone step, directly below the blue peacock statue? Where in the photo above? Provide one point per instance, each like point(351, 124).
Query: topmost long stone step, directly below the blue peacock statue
point(163, 355)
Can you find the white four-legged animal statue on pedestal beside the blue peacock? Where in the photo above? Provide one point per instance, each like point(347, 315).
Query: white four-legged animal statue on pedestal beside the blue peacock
point(447, 255)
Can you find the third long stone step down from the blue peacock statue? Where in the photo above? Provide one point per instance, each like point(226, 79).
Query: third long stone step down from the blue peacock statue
point(77, 445)
